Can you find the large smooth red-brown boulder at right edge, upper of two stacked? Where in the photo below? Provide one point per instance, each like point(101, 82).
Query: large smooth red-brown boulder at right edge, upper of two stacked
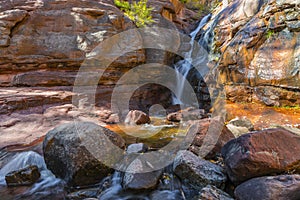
point(261, 153)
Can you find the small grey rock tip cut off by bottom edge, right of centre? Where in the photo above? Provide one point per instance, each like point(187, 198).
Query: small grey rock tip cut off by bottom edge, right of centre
point(212, 193)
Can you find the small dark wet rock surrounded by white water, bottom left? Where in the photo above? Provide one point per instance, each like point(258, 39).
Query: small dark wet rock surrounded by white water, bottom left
point(25, 176)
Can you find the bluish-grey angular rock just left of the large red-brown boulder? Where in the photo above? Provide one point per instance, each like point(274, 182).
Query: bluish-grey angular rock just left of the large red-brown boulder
point(198, 172)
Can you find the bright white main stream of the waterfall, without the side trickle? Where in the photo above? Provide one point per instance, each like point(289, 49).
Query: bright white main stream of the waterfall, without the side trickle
point(183, 67)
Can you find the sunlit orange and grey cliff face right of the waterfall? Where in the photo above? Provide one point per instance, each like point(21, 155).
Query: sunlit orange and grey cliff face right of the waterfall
point(258, 46)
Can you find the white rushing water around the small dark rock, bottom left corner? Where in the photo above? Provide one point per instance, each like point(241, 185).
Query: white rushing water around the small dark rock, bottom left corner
point(47, 185)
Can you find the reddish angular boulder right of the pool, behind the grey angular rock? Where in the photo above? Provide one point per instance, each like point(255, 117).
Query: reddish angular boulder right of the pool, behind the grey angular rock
point(214, 133)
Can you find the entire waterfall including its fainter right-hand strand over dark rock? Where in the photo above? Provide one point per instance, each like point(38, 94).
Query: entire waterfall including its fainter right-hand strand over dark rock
point(195, 58)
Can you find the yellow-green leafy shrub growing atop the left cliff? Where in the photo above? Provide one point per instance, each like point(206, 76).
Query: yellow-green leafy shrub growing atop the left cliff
point(137, 12)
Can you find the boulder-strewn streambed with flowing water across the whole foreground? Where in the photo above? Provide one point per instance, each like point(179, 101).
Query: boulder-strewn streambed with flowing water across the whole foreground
point(72, 164)
